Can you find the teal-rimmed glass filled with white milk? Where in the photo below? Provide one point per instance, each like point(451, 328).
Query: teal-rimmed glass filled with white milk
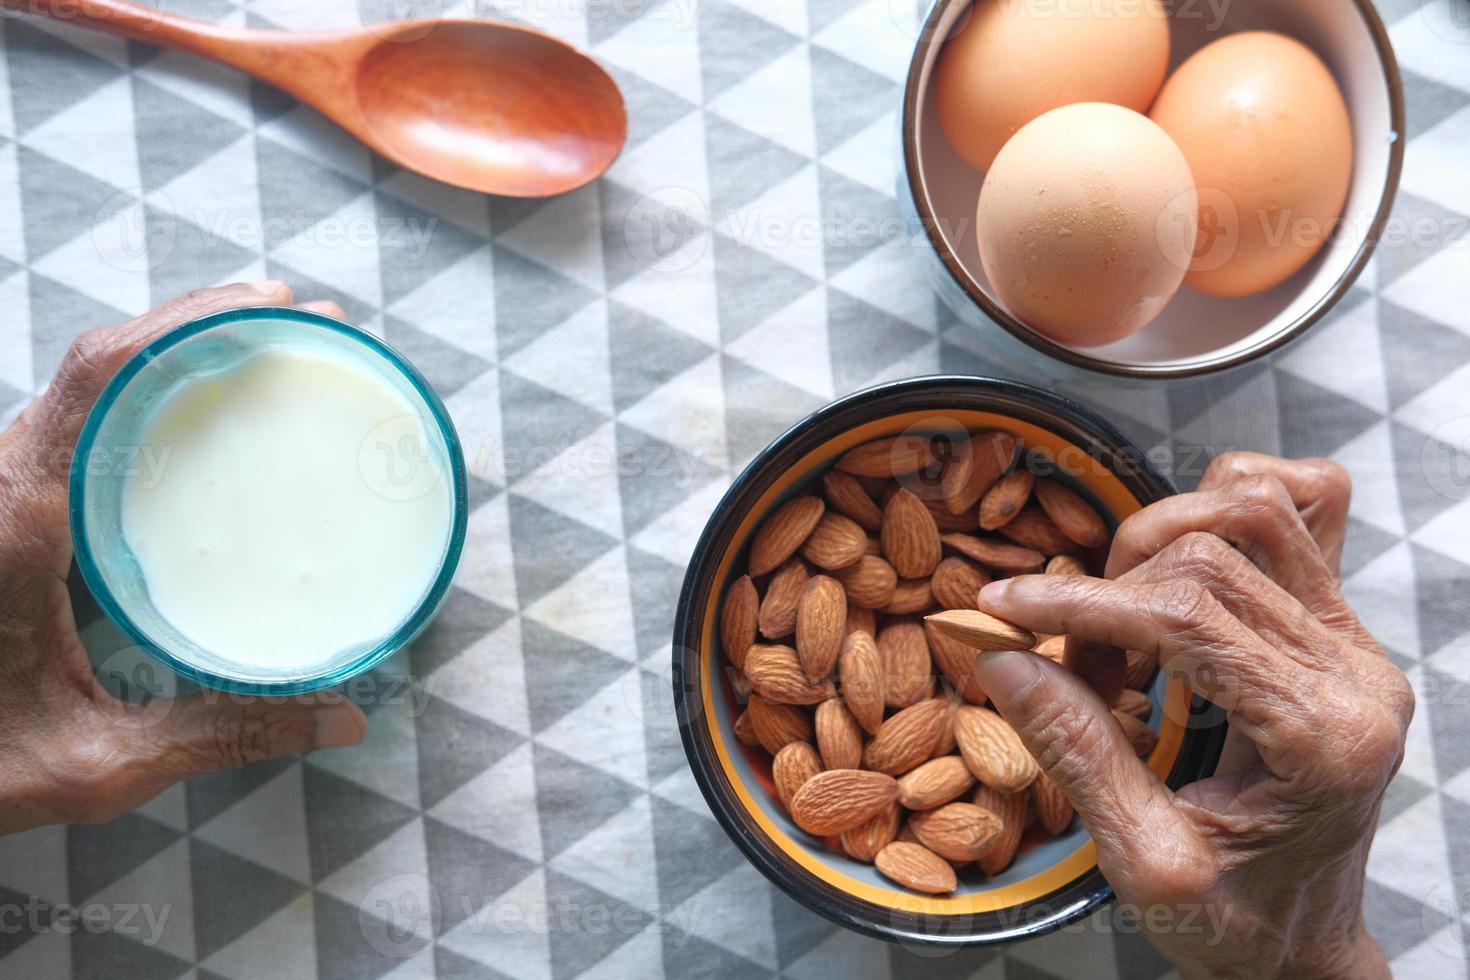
point(268, 500)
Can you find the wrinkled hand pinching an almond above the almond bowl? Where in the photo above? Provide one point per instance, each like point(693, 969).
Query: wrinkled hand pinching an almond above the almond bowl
point(1236, 591)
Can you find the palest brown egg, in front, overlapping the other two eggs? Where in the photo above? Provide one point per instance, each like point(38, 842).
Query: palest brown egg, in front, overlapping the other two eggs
point(1087, 224)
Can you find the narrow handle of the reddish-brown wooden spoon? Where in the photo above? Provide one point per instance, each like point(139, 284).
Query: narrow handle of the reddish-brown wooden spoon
point(282, 58)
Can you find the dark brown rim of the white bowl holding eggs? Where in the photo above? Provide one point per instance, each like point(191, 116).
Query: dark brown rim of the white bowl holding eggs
point(1203, 367)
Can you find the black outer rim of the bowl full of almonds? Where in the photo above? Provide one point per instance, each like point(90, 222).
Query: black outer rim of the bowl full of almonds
point(1197, 756)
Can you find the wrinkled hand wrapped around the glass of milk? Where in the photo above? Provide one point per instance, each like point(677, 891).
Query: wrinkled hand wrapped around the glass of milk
point(73, 753)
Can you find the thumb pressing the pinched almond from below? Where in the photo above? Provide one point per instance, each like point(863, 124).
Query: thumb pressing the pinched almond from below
point(1080, 746)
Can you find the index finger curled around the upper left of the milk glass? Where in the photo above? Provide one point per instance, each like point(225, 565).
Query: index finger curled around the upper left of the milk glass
point(96, 356)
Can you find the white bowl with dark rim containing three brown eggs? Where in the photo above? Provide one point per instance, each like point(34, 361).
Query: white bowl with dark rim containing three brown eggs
point(1144, 189)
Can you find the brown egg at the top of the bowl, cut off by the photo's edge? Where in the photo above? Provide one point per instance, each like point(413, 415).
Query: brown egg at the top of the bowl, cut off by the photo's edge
point(1012, 61)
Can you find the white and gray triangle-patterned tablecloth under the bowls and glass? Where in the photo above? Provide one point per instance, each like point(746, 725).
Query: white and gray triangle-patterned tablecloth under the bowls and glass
point(523, 807)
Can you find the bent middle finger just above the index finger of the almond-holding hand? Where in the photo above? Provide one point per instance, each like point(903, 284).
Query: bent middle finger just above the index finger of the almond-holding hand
point(1255, 515)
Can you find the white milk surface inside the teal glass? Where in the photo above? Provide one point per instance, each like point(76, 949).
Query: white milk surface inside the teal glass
point(277, 528)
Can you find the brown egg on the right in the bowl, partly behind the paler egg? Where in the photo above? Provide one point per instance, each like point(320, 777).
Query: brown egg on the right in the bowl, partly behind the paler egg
point(1269, 139)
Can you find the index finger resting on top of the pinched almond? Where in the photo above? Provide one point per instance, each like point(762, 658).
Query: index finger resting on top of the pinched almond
point(1184, 627)
